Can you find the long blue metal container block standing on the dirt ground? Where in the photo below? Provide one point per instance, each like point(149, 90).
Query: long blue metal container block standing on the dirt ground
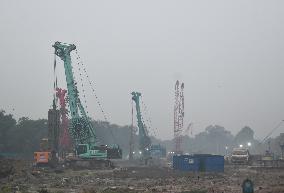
point(199, 163)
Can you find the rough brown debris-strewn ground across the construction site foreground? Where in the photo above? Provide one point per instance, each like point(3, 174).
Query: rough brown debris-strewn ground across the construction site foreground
point(19, 176)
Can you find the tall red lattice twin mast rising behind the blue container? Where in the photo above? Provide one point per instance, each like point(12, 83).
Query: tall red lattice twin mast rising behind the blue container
point(178, 116)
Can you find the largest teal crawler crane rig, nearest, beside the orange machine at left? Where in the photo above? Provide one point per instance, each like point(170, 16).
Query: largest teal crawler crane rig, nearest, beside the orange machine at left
point(87, 150)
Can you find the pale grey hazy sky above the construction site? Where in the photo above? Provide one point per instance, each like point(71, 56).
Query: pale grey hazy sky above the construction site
point(229, 54)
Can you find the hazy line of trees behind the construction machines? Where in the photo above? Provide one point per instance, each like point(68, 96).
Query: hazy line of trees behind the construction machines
point(20, 138)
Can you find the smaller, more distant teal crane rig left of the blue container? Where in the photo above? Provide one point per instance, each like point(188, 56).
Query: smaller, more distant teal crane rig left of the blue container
point(147, 151)
